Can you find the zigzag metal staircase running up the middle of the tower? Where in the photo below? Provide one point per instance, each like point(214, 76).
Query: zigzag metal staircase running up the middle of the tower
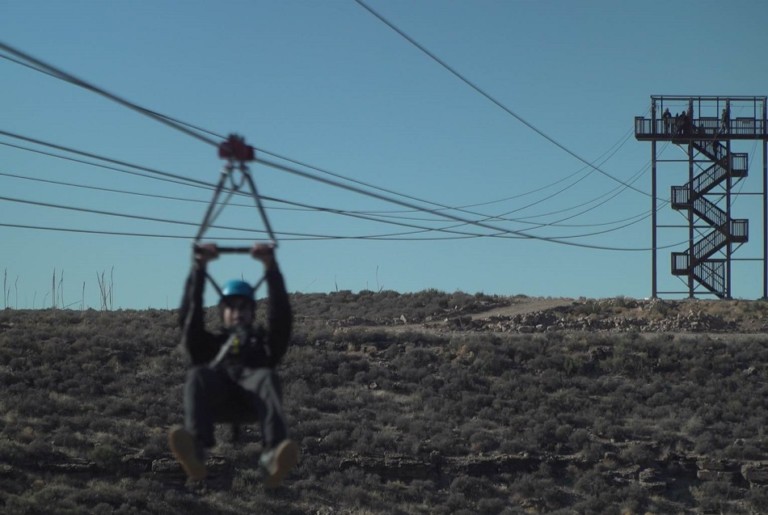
point(698, 262)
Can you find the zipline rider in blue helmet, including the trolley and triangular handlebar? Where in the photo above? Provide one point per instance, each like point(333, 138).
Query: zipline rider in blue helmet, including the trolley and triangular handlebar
point(232, 376)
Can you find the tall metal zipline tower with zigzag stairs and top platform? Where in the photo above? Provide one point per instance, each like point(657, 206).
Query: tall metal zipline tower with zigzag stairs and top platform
point(705, 128)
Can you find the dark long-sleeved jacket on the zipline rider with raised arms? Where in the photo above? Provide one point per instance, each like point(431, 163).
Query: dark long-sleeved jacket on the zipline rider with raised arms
point(263, 347)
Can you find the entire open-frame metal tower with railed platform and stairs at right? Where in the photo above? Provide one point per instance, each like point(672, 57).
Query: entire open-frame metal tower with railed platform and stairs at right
point(710, 129)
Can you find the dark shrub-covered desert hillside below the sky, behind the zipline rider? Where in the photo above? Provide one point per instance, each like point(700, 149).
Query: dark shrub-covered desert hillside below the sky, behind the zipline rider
point(418, 403)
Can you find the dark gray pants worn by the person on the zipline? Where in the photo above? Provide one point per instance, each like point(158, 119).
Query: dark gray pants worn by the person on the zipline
point(214, 395)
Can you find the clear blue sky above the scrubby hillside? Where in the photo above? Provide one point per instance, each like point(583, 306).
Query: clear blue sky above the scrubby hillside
point(330, 85)
